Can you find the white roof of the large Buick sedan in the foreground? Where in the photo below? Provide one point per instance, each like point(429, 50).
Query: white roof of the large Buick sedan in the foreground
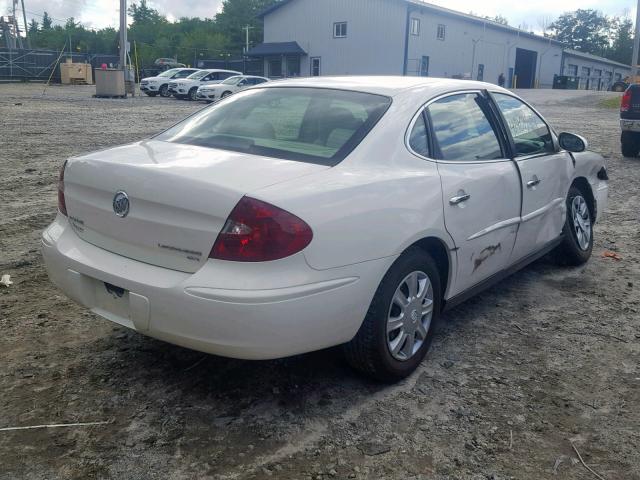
point(386, 85)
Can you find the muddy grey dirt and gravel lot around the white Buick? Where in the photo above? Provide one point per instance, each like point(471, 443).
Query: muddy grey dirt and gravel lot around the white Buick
point(546, 358)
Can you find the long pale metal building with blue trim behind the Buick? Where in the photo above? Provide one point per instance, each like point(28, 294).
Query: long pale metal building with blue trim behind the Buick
point(410, 37)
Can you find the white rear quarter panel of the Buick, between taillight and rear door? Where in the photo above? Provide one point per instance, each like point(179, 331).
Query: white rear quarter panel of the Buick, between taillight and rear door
point(376, 203)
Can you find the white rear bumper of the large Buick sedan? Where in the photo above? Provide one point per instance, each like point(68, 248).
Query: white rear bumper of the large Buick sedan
point(247, 311)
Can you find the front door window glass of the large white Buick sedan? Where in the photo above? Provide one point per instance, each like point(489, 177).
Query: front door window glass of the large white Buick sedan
point(531, 135)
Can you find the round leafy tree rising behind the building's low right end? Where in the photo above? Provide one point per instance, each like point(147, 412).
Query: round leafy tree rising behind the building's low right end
point(585, 30)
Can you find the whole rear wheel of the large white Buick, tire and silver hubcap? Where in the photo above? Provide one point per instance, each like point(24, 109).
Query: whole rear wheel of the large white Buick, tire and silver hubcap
point(397, 331)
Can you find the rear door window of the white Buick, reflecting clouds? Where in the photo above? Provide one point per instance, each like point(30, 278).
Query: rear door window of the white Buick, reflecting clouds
point(462, 129)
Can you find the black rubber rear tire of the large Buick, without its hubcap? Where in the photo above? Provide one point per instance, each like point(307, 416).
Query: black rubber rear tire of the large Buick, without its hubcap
point(369, 352)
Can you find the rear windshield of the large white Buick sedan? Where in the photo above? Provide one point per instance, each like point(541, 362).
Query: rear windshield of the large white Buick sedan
point(305, 124)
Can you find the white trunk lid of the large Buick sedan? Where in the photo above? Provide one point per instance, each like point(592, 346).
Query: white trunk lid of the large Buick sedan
point(179, 197)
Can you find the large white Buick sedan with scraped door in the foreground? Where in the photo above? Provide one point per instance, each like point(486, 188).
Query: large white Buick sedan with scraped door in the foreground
point(309, 213)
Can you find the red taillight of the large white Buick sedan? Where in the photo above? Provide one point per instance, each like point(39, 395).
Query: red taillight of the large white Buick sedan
point(260, 232)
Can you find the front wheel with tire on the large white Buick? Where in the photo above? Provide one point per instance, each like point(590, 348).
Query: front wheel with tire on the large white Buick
point(577, 244)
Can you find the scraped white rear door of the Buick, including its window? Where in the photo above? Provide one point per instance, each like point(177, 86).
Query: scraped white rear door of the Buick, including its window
point(480, 187)
